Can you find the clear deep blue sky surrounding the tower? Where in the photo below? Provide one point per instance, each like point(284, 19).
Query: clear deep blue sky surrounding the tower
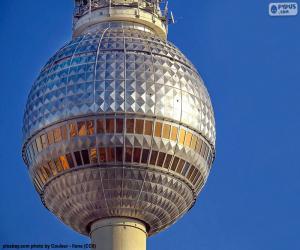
point(251, 65)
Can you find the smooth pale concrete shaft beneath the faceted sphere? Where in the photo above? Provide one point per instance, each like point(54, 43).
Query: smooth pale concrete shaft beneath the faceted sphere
point(118, 234)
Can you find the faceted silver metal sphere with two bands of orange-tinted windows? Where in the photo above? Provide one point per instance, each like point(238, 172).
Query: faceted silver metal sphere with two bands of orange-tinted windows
point(119, 124)
